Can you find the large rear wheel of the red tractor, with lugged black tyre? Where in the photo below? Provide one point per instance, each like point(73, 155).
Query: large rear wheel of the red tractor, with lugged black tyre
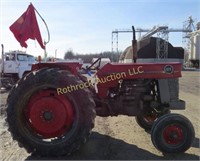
point(46, 122)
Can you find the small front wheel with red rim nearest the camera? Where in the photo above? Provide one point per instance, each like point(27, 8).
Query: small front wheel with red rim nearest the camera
point(172, 133)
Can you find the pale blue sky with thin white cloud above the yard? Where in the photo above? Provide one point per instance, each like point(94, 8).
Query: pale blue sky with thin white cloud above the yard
point(85, 26)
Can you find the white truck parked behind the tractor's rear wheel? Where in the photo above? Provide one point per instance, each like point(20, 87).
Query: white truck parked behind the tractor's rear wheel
point(13, 66)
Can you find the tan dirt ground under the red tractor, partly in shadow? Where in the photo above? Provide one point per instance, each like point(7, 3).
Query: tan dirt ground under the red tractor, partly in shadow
point(118, 138)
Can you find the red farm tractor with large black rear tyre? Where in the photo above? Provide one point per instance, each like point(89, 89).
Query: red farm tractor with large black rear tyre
point(51, 111)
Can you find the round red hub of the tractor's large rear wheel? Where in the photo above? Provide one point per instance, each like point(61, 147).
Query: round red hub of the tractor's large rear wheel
point(49, 114)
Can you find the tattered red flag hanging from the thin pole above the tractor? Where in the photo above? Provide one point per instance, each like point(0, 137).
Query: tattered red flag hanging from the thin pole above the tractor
point(26, 27)
